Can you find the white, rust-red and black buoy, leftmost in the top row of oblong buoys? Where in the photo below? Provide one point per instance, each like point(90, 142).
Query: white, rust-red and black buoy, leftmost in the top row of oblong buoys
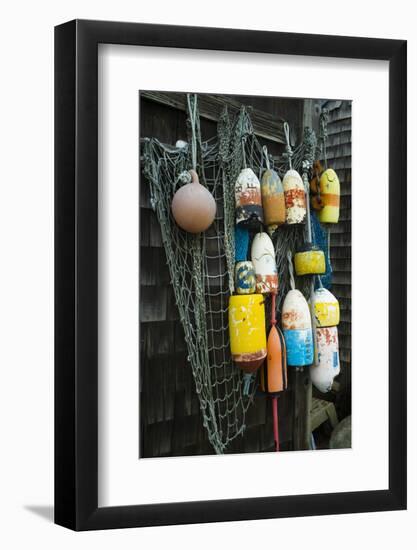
point(248, 199)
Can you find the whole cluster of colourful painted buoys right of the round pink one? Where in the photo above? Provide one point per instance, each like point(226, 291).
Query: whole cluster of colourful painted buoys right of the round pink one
point(309, 336)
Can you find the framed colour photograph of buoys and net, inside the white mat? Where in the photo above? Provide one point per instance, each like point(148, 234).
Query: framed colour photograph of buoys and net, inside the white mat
point(245, 274)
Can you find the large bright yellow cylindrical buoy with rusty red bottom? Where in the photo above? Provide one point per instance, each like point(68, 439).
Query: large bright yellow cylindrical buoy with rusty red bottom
point(247, 331)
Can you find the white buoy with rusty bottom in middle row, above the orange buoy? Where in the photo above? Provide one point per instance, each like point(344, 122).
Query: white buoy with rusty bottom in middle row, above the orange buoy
point(263, 259)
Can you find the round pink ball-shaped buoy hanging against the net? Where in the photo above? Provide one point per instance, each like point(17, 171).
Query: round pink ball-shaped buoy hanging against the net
point(193, 206)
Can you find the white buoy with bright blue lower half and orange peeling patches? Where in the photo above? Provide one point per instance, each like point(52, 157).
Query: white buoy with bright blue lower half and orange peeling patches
point(296, 325)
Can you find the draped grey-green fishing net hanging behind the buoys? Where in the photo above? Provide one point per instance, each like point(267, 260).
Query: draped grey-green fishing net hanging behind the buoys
point(202, 266)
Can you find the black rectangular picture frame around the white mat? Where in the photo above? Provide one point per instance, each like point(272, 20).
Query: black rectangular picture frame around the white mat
point(76, 272)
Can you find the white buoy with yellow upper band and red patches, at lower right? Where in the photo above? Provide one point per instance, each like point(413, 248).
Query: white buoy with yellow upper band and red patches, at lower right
point(326, 315)
